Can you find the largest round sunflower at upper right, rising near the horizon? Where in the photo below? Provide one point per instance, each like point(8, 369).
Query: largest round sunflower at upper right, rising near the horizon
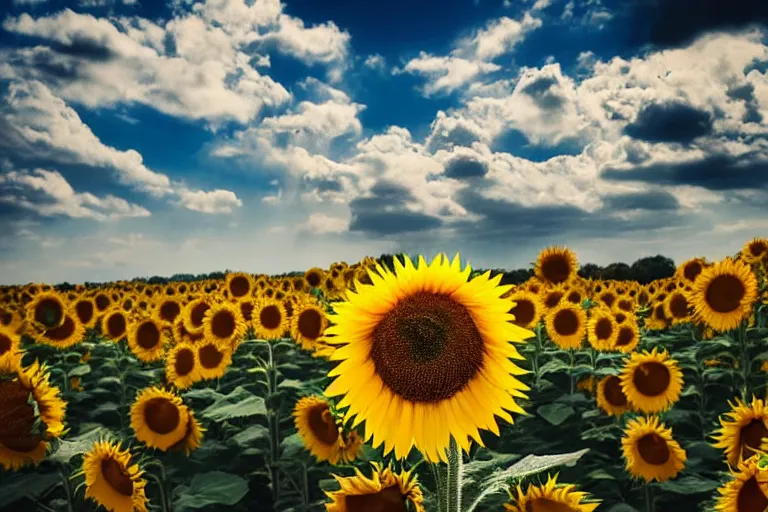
point(724, 293)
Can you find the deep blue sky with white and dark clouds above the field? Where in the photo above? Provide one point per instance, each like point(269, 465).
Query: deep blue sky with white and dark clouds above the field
point(152, 138)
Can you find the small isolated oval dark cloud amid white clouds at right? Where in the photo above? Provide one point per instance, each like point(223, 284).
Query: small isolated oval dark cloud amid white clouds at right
point(670, 122)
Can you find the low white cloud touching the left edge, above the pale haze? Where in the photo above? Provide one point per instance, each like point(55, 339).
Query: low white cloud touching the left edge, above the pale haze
point(49, 194)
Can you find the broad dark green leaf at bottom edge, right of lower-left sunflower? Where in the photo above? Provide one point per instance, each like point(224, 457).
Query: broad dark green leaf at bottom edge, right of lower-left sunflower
point(214, 488)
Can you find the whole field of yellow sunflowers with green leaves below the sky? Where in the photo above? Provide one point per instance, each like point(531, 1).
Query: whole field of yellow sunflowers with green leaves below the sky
point(420, 386)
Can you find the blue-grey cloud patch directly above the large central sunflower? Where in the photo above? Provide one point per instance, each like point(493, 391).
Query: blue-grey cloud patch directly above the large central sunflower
point(384, 212)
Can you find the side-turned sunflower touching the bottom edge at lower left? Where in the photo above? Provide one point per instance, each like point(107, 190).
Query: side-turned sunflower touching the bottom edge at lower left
point(111, 480)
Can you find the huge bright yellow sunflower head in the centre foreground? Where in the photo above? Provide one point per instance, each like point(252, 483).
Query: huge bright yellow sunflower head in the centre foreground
point(428, 347)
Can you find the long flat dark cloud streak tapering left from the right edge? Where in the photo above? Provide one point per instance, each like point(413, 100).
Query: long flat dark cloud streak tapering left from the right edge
point(714, 172)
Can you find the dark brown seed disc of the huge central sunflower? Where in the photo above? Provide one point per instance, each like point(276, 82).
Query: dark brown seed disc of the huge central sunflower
point(427, 348)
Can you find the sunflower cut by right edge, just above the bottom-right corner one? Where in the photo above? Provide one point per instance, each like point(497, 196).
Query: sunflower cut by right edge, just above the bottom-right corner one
point(743, 430)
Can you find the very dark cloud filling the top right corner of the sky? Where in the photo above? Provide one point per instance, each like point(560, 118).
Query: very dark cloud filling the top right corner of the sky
point(675, 23)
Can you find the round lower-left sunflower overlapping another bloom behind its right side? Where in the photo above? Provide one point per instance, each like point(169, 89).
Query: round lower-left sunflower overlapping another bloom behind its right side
point(159, 418)
